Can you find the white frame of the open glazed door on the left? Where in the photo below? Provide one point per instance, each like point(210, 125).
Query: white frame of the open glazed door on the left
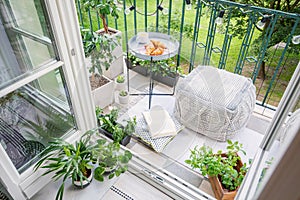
point(65, 26)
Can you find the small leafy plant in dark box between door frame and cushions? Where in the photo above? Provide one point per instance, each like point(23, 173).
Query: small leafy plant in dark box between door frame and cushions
point(109, 126)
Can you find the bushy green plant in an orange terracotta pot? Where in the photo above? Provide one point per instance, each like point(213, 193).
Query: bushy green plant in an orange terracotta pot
point(225, 170)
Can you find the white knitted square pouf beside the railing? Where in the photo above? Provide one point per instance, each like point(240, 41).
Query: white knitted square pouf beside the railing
point(214, 102)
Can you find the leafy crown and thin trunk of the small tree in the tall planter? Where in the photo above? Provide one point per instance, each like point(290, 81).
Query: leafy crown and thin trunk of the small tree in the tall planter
point(103, 8)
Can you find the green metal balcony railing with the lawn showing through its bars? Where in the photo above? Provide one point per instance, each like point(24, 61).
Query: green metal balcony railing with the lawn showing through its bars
point(264, 53)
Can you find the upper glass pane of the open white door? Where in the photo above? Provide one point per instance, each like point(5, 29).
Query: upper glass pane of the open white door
point(25, 39)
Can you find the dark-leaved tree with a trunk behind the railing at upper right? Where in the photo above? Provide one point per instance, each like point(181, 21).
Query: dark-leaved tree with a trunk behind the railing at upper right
point(282, 27)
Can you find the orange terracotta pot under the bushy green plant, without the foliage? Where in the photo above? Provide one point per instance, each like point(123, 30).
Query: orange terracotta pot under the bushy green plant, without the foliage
point(219, 191)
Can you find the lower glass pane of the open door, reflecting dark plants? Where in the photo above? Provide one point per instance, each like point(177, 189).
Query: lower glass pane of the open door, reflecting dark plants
point(32, 116)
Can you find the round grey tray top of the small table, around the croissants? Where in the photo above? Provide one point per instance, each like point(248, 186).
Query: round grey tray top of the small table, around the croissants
point(138, 49)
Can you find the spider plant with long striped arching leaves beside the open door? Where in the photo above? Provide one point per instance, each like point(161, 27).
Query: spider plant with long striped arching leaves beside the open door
point(67, 161)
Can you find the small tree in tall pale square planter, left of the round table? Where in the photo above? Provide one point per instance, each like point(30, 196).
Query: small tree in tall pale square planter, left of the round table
point(110, 40)
